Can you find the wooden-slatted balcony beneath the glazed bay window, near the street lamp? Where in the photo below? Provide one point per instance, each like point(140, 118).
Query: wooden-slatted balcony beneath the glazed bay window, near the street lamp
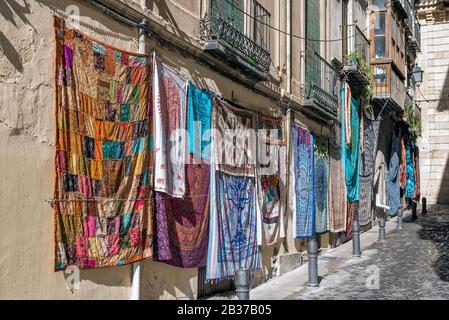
point(389, 89)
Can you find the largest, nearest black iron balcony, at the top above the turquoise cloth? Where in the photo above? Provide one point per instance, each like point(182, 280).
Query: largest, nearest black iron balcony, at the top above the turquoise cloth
point(227, 31)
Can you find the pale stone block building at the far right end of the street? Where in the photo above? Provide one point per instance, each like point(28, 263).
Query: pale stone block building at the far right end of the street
point(433, 99)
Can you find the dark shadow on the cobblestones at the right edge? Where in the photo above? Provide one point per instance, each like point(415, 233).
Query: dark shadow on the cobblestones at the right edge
point(436, 229)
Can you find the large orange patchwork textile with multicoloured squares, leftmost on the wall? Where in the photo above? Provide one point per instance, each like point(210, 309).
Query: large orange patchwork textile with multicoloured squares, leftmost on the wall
point(103, 216)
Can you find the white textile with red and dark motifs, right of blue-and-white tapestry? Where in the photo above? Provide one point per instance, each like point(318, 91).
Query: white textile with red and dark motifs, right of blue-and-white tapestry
point(271, 178)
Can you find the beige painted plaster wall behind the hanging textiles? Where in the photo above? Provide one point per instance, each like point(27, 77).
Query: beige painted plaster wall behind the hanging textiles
point(27, 146)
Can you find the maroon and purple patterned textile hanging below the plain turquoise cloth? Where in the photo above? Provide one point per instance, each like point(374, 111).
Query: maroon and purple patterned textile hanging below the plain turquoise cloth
point(182, 225)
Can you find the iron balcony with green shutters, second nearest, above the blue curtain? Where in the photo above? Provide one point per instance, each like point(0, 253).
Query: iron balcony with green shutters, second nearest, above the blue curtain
point(318, 91)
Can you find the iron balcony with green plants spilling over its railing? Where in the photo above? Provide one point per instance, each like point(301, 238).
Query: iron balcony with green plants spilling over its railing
point(356, 57)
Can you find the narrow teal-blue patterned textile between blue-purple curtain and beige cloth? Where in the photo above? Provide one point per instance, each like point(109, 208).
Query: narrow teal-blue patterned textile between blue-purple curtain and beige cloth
point(321, 185)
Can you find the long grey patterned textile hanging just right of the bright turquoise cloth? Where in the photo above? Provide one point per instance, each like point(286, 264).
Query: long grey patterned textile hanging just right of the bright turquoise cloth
point(367, 164)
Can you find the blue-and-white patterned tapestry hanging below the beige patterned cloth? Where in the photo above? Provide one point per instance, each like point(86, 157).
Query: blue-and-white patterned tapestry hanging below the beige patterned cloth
point(237, 233)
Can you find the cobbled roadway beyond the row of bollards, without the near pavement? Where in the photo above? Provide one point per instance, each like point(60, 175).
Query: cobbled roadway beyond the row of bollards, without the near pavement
point(412, 264)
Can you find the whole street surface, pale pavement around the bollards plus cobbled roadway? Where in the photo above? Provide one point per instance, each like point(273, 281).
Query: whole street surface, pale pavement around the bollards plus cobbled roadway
point(412, 263)
